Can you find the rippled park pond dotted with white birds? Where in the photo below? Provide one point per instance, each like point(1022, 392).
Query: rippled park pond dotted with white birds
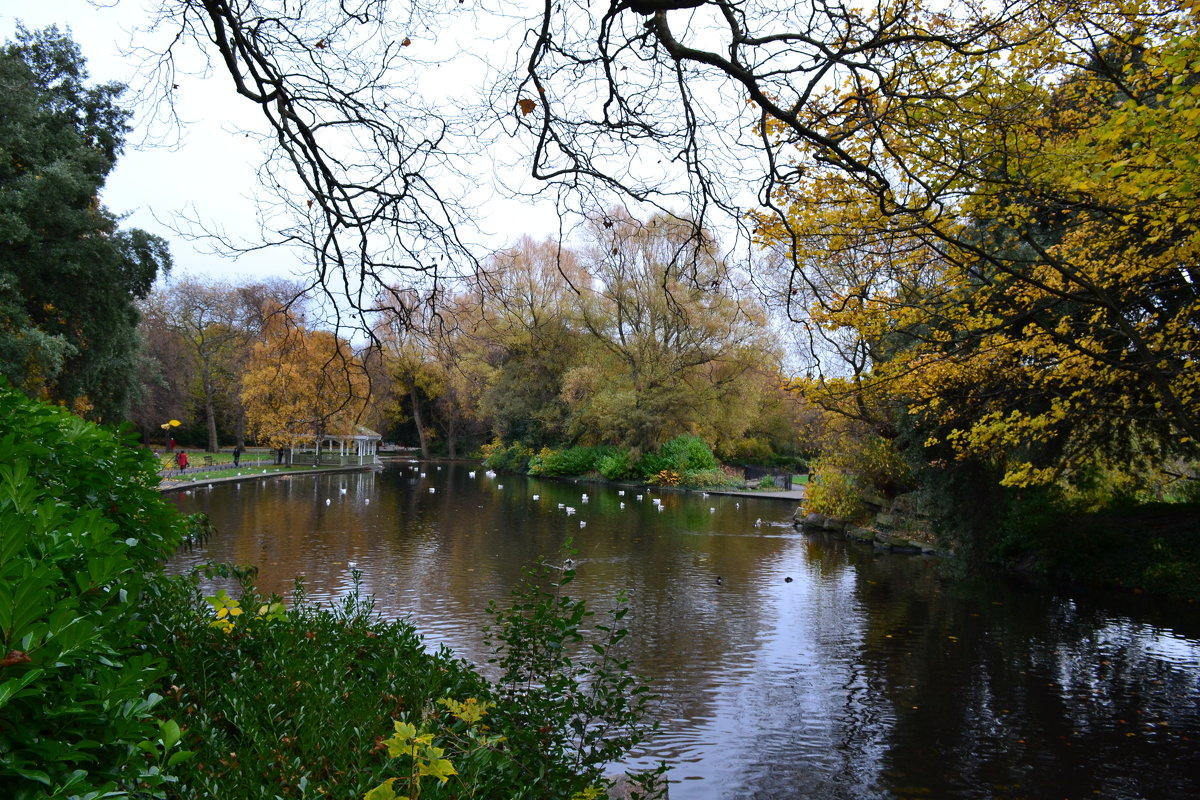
point(789, 665)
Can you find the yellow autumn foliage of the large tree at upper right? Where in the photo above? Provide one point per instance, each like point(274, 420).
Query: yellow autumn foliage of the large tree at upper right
point(1009, 246)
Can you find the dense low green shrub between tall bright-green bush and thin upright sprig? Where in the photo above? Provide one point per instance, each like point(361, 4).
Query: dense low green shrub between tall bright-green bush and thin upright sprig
point(292, 702)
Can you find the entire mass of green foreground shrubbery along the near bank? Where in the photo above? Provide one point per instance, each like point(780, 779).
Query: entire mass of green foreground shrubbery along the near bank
point(117, 682)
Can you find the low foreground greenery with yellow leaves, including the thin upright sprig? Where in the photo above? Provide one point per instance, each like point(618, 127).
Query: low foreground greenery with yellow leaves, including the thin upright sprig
point(339, 702)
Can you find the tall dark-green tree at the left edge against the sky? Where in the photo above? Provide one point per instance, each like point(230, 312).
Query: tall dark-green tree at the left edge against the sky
point(69, 274)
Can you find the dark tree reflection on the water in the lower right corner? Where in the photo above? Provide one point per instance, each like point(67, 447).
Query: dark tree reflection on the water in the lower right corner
point(1018, 694)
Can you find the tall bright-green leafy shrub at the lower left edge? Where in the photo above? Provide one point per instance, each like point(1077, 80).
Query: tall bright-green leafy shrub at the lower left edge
point(82, 525)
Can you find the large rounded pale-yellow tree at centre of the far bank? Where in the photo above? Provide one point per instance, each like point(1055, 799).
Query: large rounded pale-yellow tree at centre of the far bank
point(673, 340)
